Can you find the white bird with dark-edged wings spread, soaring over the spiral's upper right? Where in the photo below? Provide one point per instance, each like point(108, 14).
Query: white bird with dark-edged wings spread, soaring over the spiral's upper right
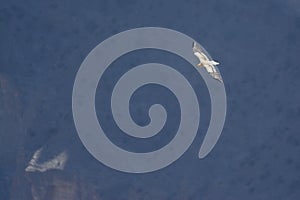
point(205, 62)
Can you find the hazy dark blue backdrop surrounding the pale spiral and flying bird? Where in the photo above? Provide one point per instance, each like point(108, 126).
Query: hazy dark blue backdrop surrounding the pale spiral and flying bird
point(42, 45)
